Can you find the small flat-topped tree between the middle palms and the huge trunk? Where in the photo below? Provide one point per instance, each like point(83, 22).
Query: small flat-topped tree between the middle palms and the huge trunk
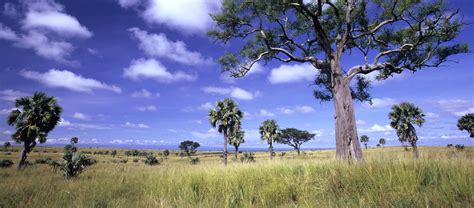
point(294, 137)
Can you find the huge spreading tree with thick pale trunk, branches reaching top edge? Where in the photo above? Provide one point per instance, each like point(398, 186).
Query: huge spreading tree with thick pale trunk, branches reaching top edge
point(391, 36)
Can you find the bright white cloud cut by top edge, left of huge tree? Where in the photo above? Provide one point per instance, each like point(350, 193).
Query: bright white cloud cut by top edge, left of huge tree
point(188, 16)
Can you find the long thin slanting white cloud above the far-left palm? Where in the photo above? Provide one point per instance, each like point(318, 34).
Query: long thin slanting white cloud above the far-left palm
point(68, 80)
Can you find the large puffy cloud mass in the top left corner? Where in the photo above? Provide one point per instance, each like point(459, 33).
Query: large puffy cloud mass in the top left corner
point(41, 18)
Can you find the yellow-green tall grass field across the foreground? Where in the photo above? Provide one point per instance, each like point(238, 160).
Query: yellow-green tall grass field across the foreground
point(389, 177)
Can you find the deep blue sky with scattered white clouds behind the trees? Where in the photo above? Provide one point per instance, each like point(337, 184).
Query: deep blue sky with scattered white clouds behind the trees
point(144, 74)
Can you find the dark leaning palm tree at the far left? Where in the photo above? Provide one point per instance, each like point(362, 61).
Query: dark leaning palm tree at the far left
point(33, 119)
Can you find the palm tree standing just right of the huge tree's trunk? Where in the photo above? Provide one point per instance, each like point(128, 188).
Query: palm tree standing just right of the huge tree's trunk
point(403, 118)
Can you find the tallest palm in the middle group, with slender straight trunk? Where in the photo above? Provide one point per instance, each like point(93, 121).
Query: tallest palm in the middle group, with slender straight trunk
point(226, 118)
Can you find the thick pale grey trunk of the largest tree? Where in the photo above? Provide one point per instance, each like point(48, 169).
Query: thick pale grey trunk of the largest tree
point(347, 143)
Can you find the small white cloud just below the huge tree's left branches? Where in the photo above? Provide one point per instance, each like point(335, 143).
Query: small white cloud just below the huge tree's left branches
point(287, 73)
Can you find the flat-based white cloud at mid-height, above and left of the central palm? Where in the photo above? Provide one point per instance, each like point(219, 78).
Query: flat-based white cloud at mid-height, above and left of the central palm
point(153, 69)
